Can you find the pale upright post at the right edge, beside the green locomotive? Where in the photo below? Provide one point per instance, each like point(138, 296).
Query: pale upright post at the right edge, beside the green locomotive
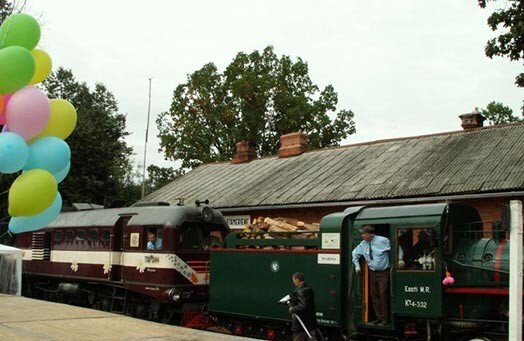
point(515, 270)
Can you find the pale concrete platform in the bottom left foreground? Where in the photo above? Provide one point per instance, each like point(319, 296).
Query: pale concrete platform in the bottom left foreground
point(23, 318)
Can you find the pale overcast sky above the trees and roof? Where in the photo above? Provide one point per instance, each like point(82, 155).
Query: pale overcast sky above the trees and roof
point(404, 67)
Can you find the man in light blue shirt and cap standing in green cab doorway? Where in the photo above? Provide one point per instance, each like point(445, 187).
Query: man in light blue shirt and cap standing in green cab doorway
point(375, 250)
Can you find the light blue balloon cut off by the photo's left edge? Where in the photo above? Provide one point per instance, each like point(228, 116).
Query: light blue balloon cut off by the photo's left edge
point(14, 152)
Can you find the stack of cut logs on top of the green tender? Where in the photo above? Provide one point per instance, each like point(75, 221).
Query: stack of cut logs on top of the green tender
point(268, 228)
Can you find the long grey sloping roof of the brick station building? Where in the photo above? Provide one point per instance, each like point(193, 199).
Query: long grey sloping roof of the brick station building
point(483, 160)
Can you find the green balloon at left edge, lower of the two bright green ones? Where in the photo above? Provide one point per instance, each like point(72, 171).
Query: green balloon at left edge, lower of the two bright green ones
point(17, 67)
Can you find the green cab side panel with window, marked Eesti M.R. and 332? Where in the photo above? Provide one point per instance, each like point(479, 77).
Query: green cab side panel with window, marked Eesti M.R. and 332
point(417, 272)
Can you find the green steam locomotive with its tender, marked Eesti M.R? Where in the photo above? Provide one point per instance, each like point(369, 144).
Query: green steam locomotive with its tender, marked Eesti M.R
point(249, 276)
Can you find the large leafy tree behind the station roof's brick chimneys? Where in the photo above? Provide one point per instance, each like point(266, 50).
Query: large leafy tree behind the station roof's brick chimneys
point(258, 97)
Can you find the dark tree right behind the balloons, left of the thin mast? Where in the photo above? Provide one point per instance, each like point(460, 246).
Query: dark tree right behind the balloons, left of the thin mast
point(100, 165)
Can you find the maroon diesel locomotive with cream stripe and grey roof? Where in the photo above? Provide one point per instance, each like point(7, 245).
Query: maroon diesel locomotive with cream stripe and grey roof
point(100, 258)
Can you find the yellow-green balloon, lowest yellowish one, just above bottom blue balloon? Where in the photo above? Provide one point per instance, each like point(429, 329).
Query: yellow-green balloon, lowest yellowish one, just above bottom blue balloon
point(31, 193)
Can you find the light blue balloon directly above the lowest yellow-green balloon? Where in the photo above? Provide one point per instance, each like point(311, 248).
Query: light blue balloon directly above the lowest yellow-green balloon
point(49, 153)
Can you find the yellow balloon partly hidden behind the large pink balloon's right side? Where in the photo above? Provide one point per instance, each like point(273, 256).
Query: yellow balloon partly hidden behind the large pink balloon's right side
point(62, 120)
